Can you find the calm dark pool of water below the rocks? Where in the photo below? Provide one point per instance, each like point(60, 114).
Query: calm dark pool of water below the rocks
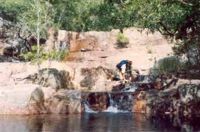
point(88, 122)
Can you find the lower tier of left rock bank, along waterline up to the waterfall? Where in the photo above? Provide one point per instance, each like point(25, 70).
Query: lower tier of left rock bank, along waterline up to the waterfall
point(33, 99)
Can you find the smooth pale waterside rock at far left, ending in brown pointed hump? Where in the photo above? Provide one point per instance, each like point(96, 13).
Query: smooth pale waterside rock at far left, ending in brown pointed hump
point(22, 99)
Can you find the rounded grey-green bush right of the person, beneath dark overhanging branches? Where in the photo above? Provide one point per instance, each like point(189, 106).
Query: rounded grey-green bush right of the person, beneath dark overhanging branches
point(168, 65)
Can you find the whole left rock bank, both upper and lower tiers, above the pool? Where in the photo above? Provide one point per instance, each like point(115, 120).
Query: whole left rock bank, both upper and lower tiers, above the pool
point(25, 91)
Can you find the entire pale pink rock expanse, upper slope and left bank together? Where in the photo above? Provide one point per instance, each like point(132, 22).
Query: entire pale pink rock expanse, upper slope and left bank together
point(93, 56)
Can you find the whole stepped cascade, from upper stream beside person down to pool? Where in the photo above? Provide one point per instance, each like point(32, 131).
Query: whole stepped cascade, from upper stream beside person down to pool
point(121, 99)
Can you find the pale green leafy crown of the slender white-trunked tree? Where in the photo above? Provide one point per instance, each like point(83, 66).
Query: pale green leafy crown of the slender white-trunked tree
point(29, 19)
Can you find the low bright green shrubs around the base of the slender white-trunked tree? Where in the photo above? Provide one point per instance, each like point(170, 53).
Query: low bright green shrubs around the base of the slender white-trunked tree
point(52, 55)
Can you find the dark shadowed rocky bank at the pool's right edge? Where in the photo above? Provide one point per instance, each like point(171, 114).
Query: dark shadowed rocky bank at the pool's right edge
point(179, 104)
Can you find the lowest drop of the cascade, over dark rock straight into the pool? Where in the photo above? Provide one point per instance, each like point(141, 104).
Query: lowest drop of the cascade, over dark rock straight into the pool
point(114, 102)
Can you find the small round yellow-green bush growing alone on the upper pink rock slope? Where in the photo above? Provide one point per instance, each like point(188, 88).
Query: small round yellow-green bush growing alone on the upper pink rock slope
point(122, 41)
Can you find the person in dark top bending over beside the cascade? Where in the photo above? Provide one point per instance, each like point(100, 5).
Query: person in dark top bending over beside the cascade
point(124, 68)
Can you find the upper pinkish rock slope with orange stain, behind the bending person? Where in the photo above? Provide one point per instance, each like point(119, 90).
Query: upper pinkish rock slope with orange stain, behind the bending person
point(99, 48)
